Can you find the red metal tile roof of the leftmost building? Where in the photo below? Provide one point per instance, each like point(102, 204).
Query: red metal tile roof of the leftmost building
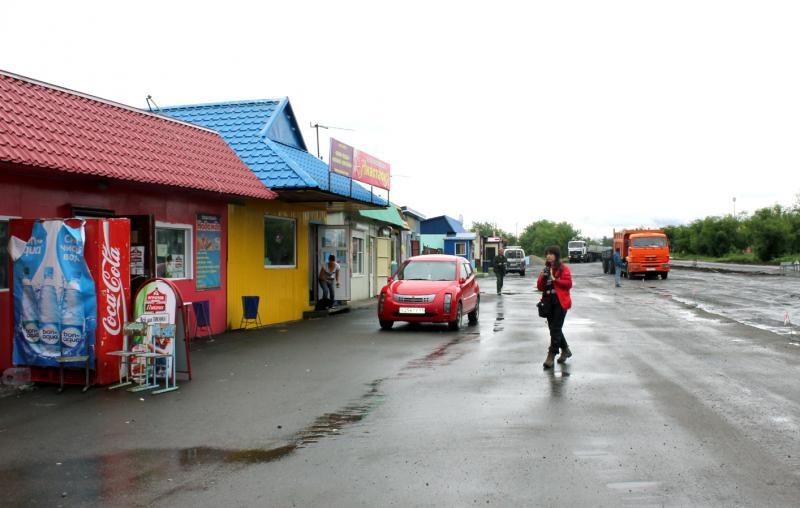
point(45, 126)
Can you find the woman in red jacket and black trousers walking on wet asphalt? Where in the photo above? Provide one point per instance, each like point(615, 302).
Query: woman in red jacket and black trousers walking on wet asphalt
point(555, 281)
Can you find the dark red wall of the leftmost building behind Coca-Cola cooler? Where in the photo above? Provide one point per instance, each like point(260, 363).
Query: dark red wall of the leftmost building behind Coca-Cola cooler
point(30, 193)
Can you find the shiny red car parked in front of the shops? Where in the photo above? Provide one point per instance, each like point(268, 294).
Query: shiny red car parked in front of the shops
point(434, 289)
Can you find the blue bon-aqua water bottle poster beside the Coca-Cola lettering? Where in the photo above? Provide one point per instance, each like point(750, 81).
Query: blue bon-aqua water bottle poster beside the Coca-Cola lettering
point(54, 296)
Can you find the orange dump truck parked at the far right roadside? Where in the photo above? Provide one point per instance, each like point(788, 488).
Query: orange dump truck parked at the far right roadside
point(644, 252)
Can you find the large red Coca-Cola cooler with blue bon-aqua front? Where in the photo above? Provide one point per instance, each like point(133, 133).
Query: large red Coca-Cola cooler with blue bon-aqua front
point(71, 285)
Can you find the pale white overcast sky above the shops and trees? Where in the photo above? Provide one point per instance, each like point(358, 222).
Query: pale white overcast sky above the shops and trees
point(602, 114)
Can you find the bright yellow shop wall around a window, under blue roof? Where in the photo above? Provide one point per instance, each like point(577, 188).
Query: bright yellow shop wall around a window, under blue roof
point(283, 291)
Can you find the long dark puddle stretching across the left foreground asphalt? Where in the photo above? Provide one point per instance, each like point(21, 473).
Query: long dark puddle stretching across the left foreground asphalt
point(124, 473)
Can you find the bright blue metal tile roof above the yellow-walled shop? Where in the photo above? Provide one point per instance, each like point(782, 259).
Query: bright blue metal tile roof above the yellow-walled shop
point(265, 135)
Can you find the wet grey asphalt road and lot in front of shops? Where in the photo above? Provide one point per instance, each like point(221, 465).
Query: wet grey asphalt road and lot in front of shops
point(664, 403)
